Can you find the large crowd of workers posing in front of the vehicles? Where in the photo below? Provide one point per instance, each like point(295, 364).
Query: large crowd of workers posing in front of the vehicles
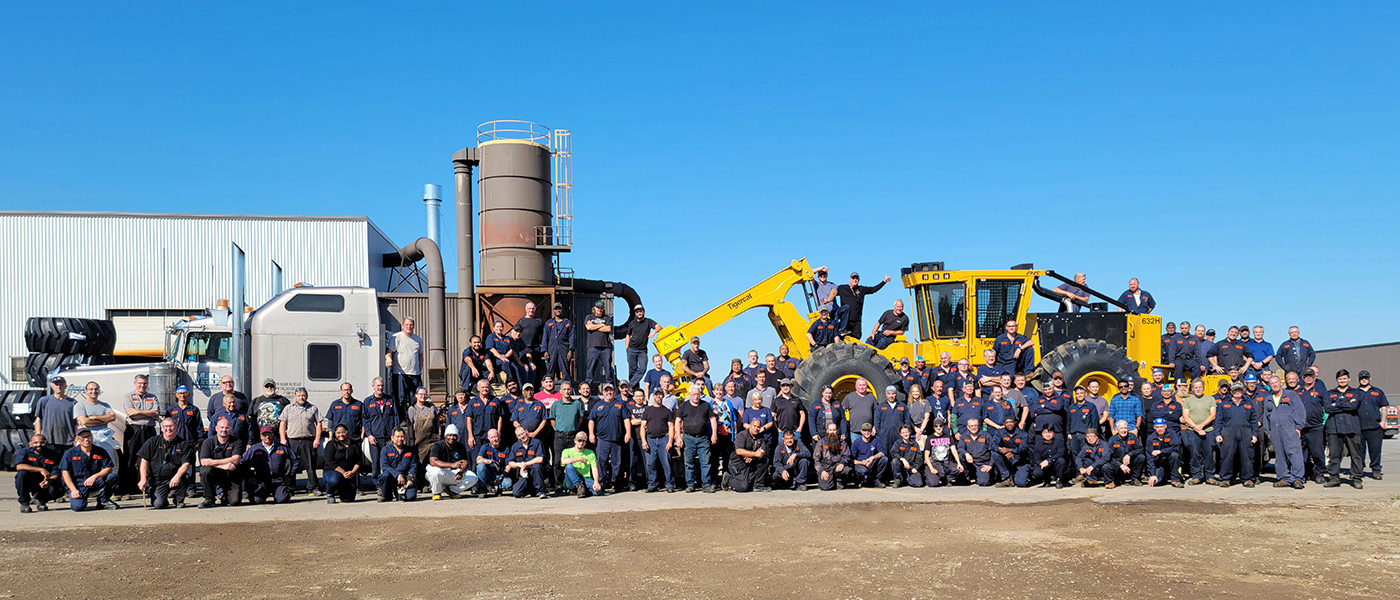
point(934, 426)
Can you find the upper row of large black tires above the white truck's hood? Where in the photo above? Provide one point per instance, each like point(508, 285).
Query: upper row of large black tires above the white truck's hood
point(62, 342)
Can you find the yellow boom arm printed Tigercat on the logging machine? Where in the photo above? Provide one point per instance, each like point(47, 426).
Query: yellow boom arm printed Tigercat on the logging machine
point(772, 293)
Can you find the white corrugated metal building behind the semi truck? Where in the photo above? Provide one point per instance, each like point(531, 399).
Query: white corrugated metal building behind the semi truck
point(146, 271)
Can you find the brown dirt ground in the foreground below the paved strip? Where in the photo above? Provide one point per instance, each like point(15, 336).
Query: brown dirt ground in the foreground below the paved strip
point(1069, 549)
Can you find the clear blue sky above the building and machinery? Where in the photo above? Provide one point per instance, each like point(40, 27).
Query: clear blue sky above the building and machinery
point(1240, 160)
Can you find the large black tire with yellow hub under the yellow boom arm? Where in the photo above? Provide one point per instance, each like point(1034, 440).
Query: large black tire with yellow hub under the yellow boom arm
point(839, 366)
